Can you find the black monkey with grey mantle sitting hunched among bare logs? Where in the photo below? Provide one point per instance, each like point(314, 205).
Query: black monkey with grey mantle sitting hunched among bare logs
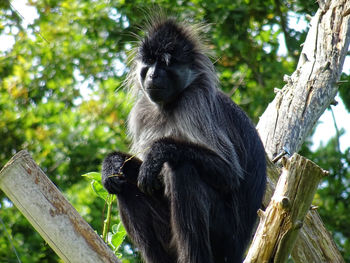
point(193, 195)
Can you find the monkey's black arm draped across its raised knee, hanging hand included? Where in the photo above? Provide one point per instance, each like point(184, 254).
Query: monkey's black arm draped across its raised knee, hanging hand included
point(214, 170)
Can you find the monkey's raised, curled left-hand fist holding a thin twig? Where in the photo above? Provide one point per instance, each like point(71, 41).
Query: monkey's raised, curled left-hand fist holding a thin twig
point(118, 170)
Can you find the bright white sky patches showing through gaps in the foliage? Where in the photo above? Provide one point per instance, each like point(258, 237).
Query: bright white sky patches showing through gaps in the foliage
point(325, 129)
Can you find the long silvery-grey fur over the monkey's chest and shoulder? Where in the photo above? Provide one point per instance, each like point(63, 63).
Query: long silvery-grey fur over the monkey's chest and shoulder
point(196, 118)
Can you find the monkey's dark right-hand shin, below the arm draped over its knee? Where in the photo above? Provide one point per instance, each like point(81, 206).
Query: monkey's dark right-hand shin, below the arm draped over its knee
point(190, 206)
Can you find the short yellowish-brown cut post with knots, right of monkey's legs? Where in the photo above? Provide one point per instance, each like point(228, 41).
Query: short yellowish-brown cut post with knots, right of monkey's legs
point(284, 217)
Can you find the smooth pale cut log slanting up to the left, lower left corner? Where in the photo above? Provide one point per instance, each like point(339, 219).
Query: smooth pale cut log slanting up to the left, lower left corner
point(39, 200)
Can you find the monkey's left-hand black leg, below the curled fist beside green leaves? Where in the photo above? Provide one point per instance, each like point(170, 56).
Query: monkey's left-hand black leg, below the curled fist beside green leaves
point(147, 222)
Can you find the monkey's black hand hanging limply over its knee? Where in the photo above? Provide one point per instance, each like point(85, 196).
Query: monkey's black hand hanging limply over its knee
point(149, 177)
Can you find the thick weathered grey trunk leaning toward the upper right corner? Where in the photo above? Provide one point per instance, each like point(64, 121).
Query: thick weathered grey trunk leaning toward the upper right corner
point(291, 116)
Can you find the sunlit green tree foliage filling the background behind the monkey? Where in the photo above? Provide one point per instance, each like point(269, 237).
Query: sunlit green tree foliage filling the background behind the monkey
point(61, 96)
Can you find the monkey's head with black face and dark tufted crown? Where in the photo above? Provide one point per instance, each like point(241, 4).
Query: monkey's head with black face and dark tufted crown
point(165, 60)
